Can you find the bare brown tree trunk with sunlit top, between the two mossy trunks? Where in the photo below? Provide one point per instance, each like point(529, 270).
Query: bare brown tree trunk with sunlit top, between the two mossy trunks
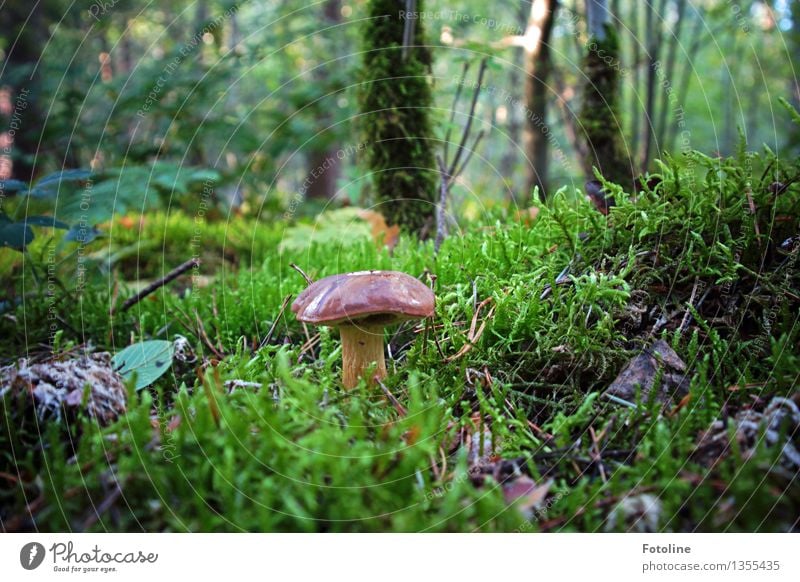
point(537, 75)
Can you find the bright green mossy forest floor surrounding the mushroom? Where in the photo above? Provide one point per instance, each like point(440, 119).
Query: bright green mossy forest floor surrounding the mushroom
point(696, 261)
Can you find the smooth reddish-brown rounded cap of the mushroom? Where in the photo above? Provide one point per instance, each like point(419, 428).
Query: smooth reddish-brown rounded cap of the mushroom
point(370, 297)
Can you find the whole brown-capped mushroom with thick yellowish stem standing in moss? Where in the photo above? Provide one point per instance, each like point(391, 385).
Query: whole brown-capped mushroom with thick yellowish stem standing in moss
point(361, 304)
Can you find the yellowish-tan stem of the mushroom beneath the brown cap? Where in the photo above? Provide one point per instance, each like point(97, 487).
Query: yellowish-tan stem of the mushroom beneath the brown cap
point(362, 346)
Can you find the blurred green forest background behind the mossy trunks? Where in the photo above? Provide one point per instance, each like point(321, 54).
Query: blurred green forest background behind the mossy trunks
point(257, 95)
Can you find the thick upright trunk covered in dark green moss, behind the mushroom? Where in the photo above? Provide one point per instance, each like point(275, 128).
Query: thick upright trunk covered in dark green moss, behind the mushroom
point(395, 101)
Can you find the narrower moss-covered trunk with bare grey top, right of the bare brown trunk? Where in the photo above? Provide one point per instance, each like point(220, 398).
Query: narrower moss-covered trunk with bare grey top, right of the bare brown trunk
point(601, 123)
